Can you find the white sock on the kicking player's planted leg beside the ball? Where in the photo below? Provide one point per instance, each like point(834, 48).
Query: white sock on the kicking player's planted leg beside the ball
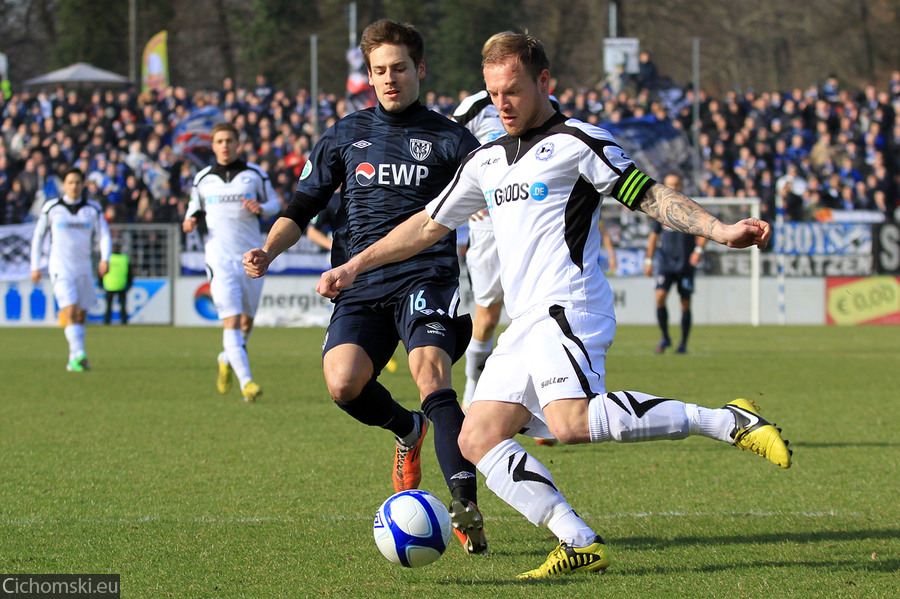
point(521, 481)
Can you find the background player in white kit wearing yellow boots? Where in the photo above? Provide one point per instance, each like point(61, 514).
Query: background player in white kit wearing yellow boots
point(230, 196)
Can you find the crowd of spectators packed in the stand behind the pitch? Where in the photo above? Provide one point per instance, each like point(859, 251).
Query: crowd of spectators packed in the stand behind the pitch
point(816, 149)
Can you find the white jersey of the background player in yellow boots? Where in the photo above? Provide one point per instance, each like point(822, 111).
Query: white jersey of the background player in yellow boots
point(219, 192)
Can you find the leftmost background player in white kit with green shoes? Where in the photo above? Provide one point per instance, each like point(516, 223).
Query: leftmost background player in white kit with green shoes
point(73, 222)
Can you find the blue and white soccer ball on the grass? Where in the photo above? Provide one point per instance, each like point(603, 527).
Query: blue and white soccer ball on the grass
point(412, 528)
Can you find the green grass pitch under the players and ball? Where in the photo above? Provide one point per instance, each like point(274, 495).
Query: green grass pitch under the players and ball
point(141, 468)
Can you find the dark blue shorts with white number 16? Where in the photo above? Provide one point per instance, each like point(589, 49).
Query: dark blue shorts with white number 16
point(425, 316)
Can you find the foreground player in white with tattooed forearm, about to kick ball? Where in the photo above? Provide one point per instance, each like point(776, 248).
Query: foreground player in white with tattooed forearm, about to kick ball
point(544, 184)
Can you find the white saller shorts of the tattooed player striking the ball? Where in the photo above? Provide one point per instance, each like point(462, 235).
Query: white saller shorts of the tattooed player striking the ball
point(548, 353)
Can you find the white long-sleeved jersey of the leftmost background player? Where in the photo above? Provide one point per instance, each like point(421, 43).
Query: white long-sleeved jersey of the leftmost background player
point(73, 227)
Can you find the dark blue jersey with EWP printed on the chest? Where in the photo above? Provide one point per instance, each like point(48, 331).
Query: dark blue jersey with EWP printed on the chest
point(388, 166)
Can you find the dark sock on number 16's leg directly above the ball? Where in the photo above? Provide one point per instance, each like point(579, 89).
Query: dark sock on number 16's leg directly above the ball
point(442, 408)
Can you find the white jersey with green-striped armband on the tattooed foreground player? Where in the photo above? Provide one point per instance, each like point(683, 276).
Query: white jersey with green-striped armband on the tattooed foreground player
point(544, 191)
